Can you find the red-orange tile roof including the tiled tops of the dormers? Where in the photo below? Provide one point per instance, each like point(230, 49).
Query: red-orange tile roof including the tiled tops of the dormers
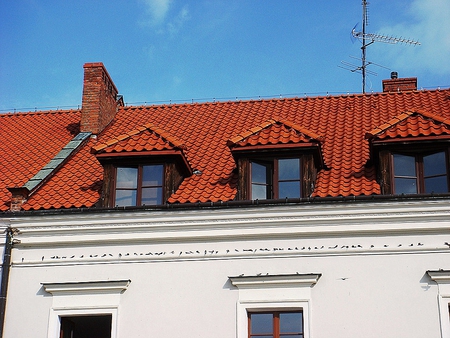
point(204, 132)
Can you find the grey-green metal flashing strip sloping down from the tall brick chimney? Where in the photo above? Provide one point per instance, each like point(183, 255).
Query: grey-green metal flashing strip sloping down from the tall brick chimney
point(56, 162)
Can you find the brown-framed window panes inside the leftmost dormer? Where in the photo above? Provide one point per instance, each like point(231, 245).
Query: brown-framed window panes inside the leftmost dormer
point(140, 185)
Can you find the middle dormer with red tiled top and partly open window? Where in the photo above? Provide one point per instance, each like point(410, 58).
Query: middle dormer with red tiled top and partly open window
point(276, 160)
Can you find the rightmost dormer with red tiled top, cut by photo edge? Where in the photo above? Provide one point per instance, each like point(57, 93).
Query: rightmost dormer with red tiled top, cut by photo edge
point(412, 154)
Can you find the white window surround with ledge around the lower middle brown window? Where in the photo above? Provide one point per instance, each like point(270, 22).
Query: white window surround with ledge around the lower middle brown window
point(274, 293)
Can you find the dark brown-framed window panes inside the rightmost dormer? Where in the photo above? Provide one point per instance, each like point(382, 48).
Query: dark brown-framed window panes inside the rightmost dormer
point(420, 173)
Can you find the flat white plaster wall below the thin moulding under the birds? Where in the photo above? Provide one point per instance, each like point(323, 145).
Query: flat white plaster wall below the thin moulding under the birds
point(357, 296)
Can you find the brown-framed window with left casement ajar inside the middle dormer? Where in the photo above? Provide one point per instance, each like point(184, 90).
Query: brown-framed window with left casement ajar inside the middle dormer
point(278, 178)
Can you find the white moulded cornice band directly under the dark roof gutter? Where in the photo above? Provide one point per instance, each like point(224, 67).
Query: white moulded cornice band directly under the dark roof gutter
point(273, 222)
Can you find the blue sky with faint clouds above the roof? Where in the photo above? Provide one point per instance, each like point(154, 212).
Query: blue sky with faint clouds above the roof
point(204, 50)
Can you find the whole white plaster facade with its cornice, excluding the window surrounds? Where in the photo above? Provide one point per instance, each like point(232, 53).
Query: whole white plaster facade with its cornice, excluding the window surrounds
point(373, 282)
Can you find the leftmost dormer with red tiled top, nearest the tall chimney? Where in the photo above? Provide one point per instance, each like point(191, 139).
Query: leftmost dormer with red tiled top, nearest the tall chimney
point(144, 167)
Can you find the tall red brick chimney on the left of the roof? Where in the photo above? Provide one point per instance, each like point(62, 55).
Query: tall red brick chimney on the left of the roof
point(100, 100)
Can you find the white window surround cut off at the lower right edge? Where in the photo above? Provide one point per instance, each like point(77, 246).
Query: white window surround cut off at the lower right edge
point(442, 278)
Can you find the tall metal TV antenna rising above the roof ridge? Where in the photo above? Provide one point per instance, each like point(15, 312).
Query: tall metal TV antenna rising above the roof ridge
point(367, 39)
